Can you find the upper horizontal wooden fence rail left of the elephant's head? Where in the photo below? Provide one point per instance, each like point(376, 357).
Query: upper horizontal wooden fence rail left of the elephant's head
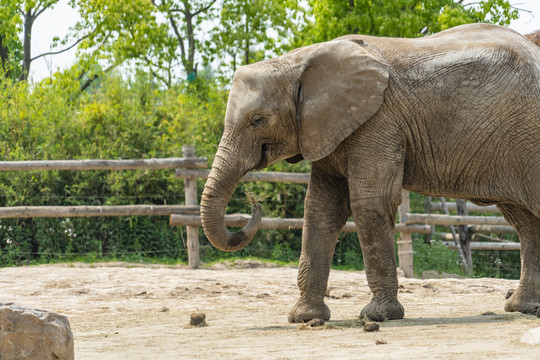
point(170, 163)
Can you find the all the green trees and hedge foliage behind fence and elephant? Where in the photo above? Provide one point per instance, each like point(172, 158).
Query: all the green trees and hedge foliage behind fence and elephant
point(140, 106)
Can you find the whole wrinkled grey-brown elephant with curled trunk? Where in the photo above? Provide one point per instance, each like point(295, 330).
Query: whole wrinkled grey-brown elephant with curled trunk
point(455, 114)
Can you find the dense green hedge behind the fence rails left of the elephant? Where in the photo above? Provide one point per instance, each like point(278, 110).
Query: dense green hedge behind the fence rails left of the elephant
point(120, 119)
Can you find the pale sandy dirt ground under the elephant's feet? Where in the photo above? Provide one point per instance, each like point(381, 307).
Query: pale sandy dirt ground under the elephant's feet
point(126, 311)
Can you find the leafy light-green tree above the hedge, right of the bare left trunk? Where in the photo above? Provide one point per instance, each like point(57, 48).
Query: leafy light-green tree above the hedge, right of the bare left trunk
point(113, 32)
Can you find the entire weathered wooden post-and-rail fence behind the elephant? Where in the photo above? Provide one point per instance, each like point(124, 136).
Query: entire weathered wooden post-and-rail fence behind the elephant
point(192, 168)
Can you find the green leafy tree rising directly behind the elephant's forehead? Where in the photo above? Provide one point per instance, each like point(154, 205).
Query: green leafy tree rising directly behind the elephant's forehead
point(250, 30)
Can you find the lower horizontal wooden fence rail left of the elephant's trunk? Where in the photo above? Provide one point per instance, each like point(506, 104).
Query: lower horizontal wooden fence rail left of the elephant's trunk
point(92, 211)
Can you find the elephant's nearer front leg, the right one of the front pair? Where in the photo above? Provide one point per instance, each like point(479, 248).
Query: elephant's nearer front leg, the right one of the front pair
point(374, 213)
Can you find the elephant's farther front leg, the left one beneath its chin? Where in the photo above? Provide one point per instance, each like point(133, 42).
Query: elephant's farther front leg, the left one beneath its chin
point(326, 211)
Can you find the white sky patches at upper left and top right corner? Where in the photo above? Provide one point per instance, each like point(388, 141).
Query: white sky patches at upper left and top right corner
point(57, 22)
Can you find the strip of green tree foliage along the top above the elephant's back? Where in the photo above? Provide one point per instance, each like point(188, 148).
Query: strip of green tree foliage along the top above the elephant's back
point(403, 18)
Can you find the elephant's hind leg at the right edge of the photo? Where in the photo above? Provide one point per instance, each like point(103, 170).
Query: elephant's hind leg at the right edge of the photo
point(526, 298)
